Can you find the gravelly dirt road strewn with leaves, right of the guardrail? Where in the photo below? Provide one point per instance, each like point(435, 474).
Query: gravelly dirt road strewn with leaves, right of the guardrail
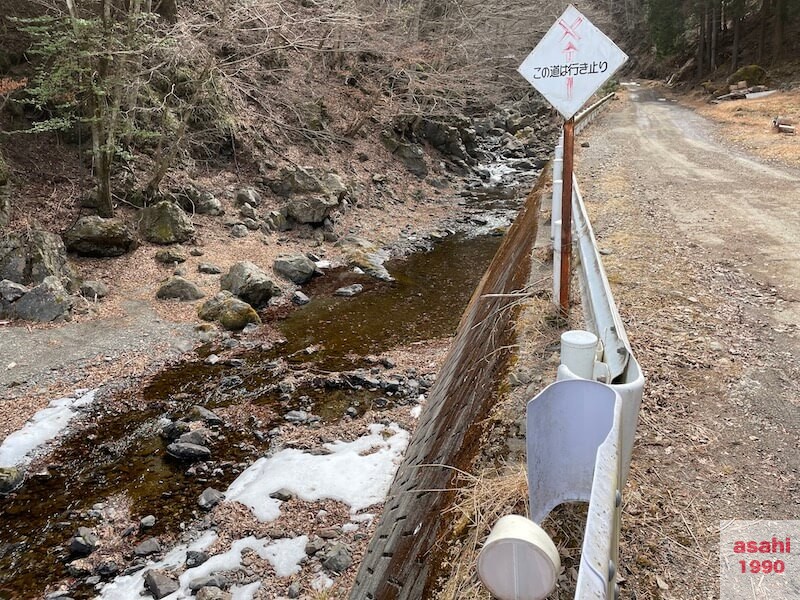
point(703, 253)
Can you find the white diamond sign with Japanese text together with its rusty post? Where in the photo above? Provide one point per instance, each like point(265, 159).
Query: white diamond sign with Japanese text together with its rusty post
point(570, 63)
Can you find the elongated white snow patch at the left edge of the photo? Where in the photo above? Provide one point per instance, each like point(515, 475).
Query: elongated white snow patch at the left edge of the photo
point(44, 426)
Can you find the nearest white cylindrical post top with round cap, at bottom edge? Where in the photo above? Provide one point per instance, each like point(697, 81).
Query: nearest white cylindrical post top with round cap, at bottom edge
point(519, 560)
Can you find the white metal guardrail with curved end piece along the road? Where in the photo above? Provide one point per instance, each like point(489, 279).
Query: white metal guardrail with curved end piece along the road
point(580, 432)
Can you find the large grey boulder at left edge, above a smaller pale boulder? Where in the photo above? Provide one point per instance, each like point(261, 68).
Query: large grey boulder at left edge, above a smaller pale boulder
point(28, 258)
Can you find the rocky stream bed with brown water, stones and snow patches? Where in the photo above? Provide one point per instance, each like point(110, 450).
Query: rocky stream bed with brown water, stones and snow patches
point(326, 390)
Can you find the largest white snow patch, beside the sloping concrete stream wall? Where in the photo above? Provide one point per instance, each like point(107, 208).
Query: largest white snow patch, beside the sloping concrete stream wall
point(356, 473)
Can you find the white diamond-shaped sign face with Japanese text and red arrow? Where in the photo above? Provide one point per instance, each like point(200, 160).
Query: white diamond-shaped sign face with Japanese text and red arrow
point(570, 63)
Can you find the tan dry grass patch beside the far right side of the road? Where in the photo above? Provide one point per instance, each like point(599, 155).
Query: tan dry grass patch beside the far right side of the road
point(748, 124)
